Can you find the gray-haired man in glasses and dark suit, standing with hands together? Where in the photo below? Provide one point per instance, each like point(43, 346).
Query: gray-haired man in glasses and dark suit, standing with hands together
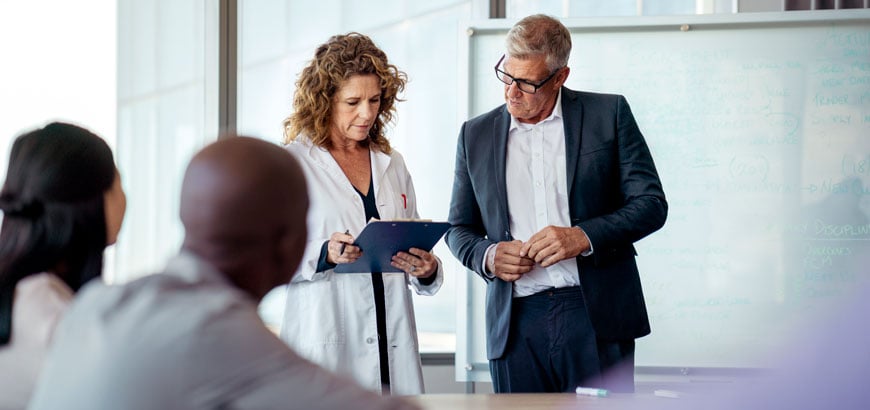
point(550, 193)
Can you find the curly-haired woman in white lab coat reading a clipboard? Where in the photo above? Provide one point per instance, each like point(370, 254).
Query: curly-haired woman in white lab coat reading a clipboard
point(358, 324)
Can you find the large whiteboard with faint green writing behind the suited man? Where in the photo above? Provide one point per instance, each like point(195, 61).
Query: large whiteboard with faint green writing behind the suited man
point(760, 128)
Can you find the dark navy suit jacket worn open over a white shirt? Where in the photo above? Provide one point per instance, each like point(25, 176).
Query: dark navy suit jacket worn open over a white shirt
point(615, 196)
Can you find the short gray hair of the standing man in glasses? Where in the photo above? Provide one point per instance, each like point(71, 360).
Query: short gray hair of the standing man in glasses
point(540, 34)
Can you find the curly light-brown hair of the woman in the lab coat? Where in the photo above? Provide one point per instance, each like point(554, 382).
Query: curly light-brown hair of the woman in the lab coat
point(341, 57)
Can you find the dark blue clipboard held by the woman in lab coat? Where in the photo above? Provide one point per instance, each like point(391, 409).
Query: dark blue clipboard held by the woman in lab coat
point(380, 240)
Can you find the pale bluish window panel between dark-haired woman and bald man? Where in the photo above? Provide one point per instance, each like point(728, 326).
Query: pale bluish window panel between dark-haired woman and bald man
point(167, 99)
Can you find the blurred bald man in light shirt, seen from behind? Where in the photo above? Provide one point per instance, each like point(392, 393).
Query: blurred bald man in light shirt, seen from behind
point(191, 337)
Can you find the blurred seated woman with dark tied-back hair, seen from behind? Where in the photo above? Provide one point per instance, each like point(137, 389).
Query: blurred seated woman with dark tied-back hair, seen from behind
point(62, 204)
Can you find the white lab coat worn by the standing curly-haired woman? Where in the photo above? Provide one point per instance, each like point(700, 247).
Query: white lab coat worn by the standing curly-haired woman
point(330, 318)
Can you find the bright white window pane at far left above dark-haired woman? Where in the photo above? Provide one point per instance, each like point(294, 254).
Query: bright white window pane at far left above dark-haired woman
point(57, 66)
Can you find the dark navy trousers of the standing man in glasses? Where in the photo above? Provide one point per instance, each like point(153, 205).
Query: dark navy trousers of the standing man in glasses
point(552, 347)
